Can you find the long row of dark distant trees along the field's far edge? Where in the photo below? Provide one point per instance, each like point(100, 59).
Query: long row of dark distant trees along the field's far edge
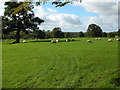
point(57, 33)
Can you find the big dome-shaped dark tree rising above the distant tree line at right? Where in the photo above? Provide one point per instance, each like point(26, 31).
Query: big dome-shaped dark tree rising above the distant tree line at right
point(94, 31)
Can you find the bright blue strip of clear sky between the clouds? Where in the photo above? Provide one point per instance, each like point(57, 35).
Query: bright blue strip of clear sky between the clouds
point(70, 9)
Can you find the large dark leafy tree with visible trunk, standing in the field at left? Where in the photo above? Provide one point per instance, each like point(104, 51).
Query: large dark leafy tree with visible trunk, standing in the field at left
point(22, 21)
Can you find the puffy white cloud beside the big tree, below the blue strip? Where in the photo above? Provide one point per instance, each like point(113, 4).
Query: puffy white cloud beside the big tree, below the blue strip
point(67, 22)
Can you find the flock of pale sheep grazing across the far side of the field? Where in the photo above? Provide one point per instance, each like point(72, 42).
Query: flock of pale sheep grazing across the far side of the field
point(88, 41)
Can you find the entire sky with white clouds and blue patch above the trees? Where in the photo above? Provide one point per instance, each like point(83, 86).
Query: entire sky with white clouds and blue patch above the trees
point(77, 16)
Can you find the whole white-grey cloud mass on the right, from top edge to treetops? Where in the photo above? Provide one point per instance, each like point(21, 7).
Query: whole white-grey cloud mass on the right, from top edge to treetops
point(107, 14)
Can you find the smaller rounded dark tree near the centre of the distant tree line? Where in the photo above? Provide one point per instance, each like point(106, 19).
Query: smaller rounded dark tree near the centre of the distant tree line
point(57, 33)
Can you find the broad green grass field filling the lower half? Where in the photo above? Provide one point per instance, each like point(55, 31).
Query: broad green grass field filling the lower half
point(75, 64)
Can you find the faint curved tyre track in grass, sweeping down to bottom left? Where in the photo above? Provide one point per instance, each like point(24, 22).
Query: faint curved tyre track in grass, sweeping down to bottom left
point(26, 82)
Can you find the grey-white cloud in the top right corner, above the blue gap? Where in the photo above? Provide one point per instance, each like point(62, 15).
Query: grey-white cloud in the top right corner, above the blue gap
point(102, 8)
